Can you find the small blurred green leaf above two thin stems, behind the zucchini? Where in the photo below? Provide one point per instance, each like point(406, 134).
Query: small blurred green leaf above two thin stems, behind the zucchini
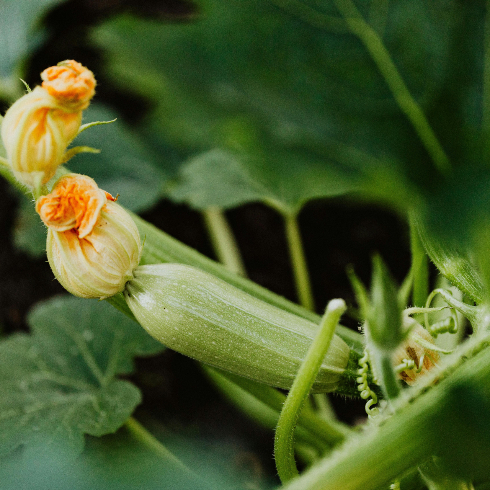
point(226, 179)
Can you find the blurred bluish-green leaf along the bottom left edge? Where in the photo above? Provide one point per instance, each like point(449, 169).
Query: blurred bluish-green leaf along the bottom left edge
point(119, 462)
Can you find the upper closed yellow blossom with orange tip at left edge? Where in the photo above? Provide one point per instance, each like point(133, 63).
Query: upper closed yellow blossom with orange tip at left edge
point(38, 127)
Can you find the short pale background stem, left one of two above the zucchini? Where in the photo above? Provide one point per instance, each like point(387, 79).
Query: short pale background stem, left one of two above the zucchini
point(223, 241)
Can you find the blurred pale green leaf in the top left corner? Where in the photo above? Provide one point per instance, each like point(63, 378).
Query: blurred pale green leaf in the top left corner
point(20, 34)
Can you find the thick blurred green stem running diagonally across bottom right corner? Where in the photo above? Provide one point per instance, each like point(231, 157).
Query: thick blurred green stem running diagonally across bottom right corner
point(433, 422)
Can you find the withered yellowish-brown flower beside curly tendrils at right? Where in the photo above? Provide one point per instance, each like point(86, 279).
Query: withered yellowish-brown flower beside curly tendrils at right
point(415, 354)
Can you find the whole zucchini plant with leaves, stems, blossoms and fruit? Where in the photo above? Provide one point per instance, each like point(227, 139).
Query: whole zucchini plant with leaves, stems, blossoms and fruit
point(342, 98)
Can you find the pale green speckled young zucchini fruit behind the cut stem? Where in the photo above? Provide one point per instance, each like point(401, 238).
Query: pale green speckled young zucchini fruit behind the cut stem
point(203, 317)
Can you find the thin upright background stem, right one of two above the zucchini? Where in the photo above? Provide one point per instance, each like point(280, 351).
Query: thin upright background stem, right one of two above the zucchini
point(298, 261)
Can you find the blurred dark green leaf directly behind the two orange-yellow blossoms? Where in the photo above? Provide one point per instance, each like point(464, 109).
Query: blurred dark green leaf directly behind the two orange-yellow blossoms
point(124, 166)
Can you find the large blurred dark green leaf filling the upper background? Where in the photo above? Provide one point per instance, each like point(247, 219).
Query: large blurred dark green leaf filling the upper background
point(288, 87)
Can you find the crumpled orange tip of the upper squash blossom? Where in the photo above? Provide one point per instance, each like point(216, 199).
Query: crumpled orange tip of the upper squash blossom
point(70, 83)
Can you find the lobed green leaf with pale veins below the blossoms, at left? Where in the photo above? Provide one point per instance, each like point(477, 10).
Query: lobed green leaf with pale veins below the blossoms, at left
point(60, 382)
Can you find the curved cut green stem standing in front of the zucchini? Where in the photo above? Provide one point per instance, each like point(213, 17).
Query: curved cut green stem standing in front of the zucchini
point(284, 438)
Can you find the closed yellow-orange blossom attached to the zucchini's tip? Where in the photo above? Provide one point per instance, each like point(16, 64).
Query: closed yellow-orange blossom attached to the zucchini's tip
point(93, 244)
